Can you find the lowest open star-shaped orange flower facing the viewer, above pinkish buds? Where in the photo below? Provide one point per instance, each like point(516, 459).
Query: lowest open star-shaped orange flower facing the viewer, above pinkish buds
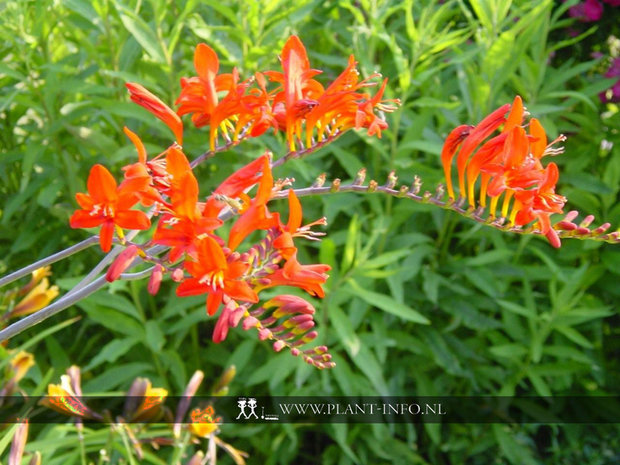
point(216, 275)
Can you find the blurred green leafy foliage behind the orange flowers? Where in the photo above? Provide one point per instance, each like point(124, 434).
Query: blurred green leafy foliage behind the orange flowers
point(420, 301)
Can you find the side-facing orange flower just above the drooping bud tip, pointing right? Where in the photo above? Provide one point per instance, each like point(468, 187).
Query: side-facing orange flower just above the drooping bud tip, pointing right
point(310, 278)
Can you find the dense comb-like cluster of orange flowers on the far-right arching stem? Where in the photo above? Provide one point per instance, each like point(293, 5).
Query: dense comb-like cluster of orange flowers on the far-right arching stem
point(509, 165)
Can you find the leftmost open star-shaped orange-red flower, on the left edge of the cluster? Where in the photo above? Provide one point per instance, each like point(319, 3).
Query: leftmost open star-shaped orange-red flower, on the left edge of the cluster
point(107, 205)
